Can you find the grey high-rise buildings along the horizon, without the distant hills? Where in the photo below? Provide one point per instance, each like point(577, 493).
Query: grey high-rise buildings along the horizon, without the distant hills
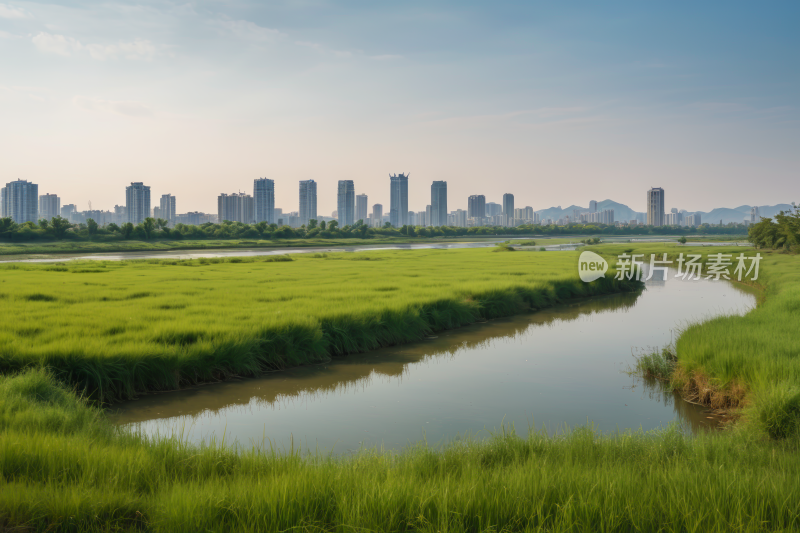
point(21, 201)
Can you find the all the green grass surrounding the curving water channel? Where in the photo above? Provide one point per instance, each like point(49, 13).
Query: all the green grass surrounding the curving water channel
point(144, 324)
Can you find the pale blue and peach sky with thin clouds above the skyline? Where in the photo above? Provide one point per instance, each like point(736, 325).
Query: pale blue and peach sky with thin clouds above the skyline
point(558, 103)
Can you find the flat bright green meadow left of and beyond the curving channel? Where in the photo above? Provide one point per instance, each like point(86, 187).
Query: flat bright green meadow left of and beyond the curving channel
point(118, 328)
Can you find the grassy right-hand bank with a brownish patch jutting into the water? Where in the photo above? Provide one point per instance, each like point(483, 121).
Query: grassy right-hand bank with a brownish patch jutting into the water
point(751, 361)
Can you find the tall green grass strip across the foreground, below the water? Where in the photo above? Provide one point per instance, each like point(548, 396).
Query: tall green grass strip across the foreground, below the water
point(65, 469)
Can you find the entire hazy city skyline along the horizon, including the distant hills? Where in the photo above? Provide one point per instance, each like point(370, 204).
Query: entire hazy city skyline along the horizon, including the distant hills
point(245, 208)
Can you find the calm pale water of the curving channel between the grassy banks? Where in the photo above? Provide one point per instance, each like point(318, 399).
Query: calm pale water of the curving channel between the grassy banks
point(562, 366)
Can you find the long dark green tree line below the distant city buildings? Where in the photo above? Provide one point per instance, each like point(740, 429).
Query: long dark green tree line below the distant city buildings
point(59, 229)
